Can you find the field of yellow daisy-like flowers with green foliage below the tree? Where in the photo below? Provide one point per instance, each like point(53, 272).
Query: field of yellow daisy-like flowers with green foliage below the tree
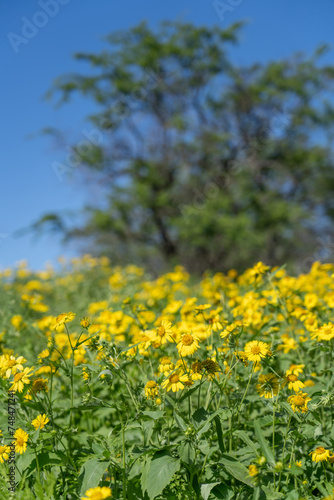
point(118, 385)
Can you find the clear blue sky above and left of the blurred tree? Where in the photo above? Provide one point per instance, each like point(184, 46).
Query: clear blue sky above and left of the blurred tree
point(33, 56)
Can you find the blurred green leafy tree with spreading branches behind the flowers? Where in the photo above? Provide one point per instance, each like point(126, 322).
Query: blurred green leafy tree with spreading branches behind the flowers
point(201, 162)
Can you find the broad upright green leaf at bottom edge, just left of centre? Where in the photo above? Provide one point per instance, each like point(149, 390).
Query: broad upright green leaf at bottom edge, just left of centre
point(160, 473)
